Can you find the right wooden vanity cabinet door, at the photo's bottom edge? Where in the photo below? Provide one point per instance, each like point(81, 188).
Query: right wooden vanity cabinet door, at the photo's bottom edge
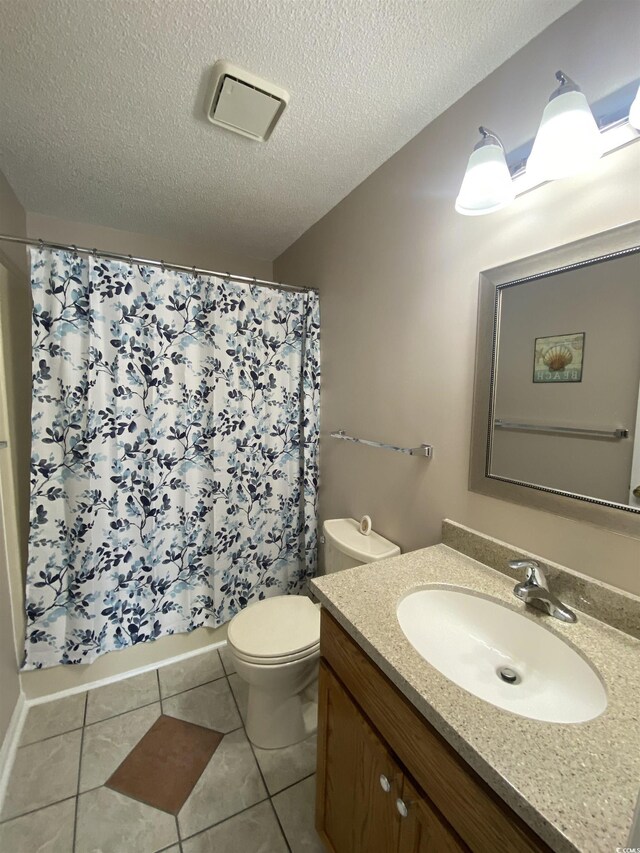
point(422, 830)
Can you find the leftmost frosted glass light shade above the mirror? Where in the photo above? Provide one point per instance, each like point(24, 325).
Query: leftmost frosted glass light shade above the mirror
point(487, 184)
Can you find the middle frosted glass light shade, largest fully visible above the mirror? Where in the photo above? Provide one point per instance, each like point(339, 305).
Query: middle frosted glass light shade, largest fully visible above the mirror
point(568, 140)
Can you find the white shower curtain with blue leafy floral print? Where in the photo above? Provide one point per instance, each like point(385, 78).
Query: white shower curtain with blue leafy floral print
point(174, 452)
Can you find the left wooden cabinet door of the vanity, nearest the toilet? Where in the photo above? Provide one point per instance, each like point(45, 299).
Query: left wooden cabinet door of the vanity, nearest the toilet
point(354, 812)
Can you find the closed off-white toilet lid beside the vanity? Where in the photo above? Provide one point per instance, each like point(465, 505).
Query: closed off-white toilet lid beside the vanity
point(276, 627)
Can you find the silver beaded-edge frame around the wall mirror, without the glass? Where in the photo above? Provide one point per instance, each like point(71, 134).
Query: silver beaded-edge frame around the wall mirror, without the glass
point(595, 249)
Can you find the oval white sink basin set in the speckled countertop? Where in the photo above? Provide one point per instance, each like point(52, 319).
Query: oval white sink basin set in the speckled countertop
point(501, 656)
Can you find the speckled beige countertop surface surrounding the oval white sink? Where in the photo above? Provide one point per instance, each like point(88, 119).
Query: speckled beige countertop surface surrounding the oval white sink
point(575, 785)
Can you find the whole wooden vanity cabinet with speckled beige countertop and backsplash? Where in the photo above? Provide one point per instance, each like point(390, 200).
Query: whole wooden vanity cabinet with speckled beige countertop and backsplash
point(409, 761)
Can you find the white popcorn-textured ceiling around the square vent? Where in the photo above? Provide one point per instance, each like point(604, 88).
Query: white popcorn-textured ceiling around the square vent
point(102, 104)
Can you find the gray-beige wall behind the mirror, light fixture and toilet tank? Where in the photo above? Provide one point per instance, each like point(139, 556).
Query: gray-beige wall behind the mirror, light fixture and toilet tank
point(398, 268)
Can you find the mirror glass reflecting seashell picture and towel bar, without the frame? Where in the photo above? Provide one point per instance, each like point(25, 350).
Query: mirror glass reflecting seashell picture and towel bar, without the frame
point(565, 395)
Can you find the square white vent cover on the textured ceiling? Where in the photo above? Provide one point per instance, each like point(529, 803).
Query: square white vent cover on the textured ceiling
point(241, 102)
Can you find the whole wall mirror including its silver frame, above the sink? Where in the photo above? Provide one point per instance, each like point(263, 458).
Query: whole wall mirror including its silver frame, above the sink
point(556, 422)
